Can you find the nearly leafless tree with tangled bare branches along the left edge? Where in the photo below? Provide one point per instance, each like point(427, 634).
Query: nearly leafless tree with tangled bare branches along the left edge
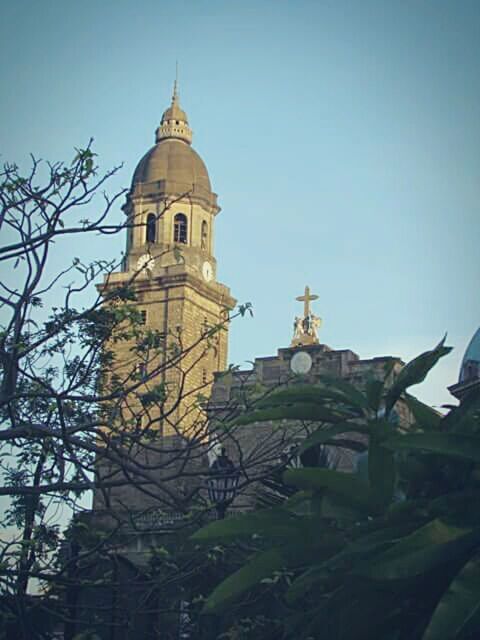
point(74, 417)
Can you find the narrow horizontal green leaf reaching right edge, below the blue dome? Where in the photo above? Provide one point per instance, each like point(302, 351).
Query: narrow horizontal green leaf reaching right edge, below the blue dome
point(457, 445)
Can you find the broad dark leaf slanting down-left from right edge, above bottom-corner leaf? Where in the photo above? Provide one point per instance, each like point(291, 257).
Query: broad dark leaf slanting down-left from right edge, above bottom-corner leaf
point(433, 544)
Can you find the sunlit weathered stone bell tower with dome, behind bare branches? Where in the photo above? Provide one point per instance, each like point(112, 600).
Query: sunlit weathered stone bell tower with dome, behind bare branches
point(170, 266)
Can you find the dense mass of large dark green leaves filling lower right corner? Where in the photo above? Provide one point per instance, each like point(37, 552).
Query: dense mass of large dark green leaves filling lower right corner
point(390, 552)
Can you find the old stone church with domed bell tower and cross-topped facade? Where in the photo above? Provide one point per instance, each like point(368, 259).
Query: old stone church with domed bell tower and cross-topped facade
point(184, 312)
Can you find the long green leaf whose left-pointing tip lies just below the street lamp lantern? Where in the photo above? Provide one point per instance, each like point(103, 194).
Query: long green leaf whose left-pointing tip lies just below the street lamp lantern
point(277, 523)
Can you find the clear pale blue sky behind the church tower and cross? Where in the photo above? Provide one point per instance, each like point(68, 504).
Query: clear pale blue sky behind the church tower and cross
point(342, 137)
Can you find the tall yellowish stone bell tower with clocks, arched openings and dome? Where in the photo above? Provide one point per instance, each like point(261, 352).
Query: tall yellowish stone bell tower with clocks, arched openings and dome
point(170, 263)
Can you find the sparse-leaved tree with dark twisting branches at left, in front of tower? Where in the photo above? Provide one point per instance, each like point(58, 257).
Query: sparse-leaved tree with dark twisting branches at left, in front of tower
point(77, 417)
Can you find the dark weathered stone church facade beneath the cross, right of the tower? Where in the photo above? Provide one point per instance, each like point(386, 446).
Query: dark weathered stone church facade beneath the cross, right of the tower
point(256, 446)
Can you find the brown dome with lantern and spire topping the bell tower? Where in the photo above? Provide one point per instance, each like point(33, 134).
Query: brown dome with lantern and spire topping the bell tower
point(172, 166)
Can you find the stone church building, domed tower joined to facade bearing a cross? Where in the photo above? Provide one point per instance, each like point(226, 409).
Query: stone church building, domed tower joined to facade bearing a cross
point(170, 264)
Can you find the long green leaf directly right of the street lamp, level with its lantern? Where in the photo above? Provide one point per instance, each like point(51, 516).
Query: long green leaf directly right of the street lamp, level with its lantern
point(349, 487)
